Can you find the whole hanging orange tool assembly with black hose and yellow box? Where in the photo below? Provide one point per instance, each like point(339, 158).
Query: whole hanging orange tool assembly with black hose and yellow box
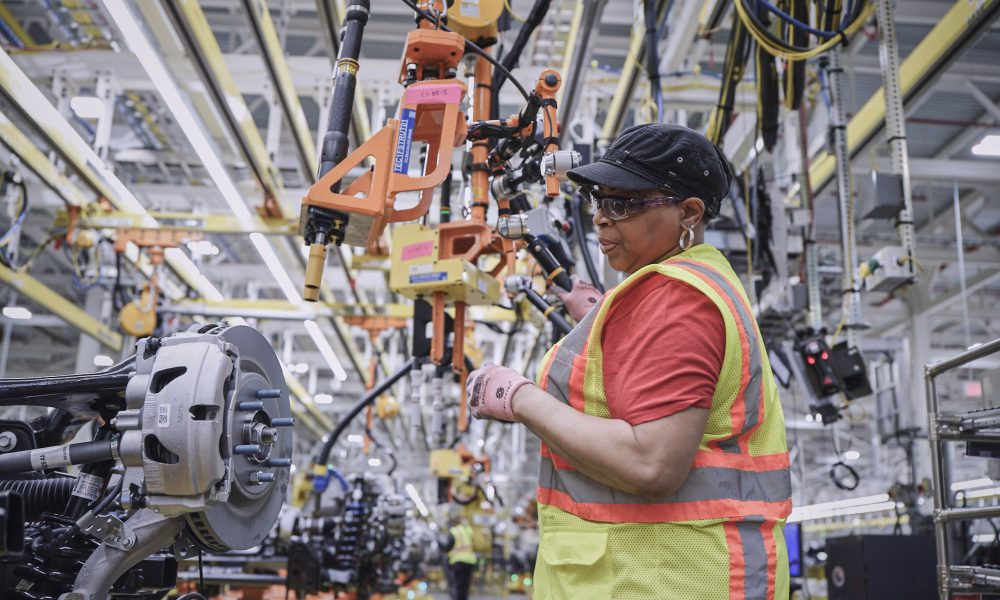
point(440, 263)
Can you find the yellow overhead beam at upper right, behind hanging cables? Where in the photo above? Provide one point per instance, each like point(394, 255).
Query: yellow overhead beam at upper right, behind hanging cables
point(939, 49)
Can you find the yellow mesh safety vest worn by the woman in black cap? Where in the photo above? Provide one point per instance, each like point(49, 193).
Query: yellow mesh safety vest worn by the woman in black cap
point(720, 536)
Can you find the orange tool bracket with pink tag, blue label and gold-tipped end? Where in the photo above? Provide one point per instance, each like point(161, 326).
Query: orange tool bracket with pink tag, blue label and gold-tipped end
point(430, 112)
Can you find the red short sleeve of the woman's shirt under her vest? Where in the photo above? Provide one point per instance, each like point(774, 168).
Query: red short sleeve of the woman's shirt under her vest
point(663, 343)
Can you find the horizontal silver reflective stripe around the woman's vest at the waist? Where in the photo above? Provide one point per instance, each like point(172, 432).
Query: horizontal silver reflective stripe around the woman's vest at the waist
point(703, 483)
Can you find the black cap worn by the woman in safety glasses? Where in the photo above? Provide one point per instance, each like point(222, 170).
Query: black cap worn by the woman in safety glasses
point(666, 157)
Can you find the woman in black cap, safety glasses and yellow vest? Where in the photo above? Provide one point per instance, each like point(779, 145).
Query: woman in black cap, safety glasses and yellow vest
point(664, 467)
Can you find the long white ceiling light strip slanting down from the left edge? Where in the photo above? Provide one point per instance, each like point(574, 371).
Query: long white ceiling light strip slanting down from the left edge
point(32, 103)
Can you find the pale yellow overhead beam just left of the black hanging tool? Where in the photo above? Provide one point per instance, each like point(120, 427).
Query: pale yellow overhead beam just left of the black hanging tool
point(273, 55)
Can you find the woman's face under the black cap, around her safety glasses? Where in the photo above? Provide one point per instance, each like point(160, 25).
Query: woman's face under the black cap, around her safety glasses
point(646, 237)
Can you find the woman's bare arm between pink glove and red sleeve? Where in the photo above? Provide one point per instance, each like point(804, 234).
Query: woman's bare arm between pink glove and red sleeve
point(650, 460)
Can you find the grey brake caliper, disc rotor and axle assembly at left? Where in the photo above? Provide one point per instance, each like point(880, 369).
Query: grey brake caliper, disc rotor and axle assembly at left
point(191, 448)
